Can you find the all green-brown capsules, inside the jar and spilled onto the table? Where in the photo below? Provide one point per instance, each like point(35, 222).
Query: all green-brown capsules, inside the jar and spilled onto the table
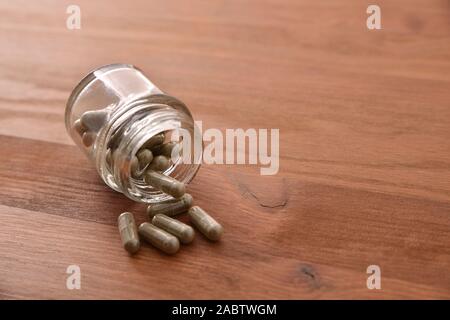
point(162, 230)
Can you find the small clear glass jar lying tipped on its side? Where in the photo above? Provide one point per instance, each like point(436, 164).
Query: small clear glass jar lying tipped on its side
point(113, 112)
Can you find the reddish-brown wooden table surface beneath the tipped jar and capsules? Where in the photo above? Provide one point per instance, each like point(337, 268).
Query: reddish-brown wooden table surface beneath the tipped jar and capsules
point(364, 119)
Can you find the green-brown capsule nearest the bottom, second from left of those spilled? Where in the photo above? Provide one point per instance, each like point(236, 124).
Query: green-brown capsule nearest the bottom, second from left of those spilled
point(159, 238)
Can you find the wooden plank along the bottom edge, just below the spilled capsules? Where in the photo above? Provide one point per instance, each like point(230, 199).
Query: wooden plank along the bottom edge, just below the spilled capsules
point(36, 257)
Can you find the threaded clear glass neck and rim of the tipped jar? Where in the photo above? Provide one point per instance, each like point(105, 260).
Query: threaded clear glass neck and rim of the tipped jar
point(129, 128)
